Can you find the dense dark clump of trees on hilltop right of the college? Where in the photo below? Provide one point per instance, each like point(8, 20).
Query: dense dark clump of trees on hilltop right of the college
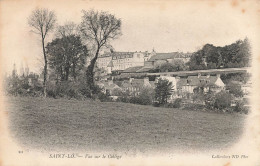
point(234, 55)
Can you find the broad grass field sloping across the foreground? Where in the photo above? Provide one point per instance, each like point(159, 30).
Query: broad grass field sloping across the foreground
point(61, 124)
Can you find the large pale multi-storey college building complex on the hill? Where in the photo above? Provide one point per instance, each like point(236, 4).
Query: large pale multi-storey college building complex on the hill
point(120, 61)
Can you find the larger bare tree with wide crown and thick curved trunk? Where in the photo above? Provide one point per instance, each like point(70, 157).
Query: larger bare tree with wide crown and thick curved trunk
point(100, 28)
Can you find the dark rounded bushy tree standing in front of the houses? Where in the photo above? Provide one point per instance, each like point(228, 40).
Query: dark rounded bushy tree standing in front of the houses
point(163, 90)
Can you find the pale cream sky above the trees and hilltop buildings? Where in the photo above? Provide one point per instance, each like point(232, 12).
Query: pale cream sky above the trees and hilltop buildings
point(166, 26)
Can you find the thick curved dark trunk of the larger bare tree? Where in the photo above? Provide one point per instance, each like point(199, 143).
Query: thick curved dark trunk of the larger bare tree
point(90, 73)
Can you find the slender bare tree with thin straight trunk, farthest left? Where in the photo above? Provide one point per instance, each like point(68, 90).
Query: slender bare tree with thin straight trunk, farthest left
point(42, 22)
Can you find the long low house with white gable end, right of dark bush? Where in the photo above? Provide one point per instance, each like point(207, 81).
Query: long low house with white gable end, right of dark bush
point(204, 83)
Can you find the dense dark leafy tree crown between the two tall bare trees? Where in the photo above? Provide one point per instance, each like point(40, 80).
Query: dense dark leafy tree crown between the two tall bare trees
point(67, 56)
